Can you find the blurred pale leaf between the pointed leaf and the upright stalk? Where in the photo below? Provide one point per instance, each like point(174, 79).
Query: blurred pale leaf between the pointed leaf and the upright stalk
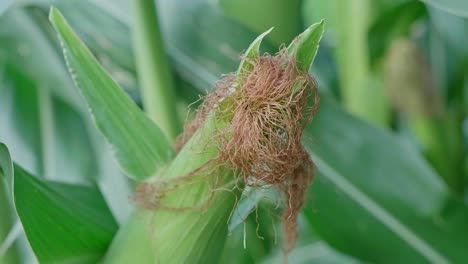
point(112, 46)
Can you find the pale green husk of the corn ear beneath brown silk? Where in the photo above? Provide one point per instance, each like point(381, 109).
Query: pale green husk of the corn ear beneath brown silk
point(190, 236)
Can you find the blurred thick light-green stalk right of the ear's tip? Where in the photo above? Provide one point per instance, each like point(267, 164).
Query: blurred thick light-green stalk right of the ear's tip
point(361, 95)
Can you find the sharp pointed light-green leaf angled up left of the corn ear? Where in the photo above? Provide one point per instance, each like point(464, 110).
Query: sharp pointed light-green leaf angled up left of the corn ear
point(139, 145)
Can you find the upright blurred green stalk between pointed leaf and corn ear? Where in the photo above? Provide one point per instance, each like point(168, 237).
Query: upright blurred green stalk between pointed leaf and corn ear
point(155, 78)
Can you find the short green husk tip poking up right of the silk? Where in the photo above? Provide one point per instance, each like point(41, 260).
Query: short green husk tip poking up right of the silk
point(305, 46)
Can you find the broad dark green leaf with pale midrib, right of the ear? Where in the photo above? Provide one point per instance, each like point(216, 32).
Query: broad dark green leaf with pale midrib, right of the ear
point(389, 198)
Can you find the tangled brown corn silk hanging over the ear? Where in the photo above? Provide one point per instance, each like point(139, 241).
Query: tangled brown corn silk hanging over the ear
point(267, 109)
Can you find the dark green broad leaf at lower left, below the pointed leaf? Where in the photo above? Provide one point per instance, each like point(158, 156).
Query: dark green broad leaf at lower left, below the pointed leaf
point(63, 223)
